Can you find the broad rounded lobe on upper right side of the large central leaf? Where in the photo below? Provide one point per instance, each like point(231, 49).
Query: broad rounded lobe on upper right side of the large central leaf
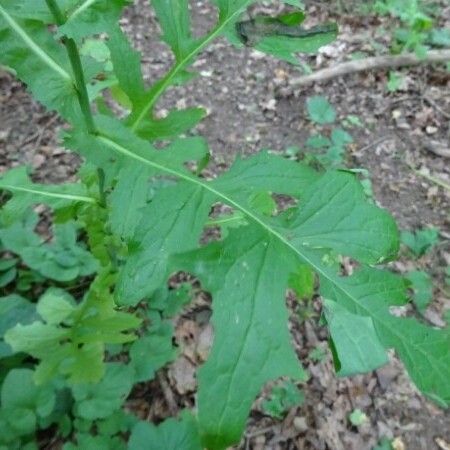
point(356, 228)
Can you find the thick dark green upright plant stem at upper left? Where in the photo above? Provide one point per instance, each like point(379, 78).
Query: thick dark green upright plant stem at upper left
point(77, 68)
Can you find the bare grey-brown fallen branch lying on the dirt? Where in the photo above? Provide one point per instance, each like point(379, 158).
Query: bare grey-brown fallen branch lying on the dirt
point(373, 63)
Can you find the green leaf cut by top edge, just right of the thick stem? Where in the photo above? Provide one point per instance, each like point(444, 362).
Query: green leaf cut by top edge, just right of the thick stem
point(92, 17)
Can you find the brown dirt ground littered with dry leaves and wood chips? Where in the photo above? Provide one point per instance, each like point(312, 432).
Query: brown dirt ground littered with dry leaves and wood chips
point(252, 105)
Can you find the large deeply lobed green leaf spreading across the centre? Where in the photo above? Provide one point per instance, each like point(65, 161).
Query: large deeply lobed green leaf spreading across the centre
point(327, 221)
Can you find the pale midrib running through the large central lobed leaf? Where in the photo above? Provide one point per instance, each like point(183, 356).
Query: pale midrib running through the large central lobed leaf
point(124, 151)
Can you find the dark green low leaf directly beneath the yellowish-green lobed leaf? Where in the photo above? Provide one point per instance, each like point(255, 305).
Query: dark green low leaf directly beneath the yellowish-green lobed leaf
point(100, 400)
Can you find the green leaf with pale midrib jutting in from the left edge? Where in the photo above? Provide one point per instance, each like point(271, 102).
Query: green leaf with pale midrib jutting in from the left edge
point(26, 194)
